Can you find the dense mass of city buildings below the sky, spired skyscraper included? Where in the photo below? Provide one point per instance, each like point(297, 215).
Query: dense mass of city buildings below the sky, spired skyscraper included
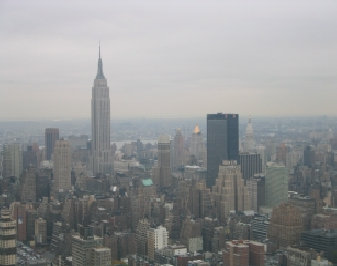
point(203, 195)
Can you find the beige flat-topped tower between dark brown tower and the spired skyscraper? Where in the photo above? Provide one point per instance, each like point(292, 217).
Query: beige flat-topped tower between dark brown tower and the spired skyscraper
point(62, 166)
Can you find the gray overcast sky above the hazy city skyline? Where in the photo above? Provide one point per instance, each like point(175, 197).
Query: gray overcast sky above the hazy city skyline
point(171, 58)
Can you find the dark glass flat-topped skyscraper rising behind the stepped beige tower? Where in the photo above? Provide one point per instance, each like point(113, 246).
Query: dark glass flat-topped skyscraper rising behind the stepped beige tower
point(222, 142)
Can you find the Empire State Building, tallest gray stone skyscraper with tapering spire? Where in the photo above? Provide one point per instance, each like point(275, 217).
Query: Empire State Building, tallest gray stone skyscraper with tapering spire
point(102, 157)
